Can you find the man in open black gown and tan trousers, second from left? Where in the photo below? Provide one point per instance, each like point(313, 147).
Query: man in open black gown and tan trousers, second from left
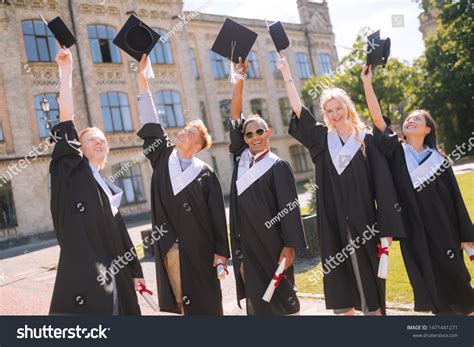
point(188, 214)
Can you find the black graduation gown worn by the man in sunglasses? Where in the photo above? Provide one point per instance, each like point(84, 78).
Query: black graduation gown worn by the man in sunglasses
point(257, 246)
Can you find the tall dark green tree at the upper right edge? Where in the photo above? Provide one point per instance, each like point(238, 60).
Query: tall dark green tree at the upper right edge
point(446, 89)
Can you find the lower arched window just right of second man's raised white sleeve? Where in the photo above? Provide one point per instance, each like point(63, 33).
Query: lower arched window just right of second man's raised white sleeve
point(169, 106)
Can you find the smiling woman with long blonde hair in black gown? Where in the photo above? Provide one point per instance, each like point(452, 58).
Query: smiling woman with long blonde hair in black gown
point(356, 203)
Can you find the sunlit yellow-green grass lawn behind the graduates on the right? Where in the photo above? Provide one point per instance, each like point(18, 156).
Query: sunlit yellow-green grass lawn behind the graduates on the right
point(398, 285)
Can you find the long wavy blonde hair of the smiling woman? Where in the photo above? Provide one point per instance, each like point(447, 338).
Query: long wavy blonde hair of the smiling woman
point(341, 95)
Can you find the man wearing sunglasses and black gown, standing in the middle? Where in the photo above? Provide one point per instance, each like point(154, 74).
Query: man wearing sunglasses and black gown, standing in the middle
point(265, 218)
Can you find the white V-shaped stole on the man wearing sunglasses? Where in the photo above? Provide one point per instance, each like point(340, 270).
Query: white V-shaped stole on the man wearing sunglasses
point(247, 176)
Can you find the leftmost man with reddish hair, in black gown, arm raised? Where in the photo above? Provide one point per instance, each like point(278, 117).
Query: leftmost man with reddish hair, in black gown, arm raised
point(98, 270)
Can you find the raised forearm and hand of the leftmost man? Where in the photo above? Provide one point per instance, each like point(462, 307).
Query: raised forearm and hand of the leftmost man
point(66, 100)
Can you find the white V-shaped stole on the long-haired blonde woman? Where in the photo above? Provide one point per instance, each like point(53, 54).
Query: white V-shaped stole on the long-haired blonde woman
point(341, 155)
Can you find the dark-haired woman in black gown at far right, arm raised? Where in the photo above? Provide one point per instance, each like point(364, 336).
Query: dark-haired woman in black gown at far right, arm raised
point(437, 223)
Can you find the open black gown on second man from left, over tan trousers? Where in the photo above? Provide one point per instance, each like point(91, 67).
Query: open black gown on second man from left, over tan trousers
point(196, 217)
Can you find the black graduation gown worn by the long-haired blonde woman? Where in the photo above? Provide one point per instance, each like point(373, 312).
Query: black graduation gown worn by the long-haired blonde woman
point(361, 197)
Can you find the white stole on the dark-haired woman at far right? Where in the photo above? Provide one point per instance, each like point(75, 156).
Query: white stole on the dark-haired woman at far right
point(419, 174)
